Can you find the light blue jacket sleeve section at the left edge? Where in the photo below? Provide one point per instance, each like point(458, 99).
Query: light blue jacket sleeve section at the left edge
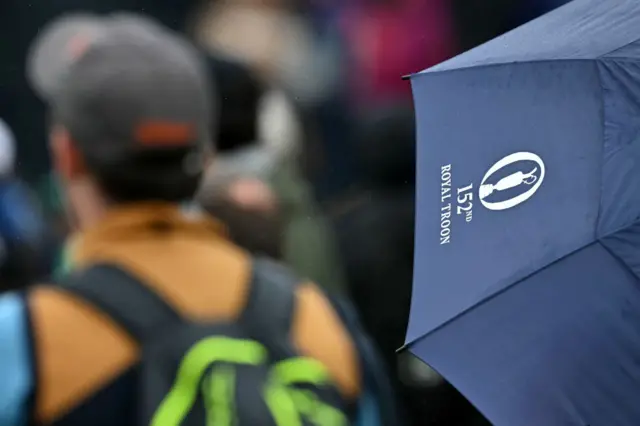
point(15, 360)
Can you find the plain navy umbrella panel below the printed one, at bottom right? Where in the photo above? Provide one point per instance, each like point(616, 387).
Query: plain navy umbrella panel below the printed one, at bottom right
point(559, 349)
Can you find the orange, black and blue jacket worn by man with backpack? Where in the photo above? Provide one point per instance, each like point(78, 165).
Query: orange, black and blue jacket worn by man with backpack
point(68, 364)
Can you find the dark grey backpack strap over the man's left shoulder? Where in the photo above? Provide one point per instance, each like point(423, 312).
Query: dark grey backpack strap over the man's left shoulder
point(131, 304)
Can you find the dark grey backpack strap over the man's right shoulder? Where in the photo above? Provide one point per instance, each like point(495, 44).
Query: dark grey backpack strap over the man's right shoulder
point(272, 299)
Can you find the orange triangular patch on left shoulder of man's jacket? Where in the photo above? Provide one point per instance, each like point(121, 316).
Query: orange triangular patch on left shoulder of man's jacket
point(80, 350)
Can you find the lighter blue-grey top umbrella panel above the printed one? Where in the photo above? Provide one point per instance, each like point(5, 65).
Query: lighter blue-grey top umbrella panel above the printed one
point(581, 29)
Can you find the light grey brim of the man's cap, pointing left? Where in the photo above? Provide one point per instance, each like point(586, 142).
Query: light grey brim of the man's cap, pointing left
point(56, 47)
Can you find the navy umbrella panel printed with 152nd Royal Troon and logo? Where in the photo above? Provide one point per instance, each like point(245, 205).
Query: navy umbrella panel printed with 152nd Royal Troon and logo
point(467, 121)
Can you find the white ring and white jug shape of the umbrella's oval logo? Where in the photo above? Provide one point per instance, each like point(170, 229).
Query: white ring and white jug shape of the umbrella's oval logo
point(532, 178)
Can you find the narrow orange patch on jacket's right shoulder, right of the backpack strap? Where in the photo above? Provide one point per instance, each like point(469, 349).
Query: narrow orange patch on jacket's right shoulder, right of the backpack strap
point(319, 332)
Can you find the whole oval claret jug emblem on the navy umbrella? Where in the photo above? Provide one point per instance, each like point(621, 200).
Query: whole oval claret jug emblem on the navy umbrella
point(511, 181)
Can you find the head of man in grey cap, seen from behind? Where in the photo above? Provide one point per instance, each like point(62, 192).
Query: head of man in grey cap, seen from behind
point(130, 106)
